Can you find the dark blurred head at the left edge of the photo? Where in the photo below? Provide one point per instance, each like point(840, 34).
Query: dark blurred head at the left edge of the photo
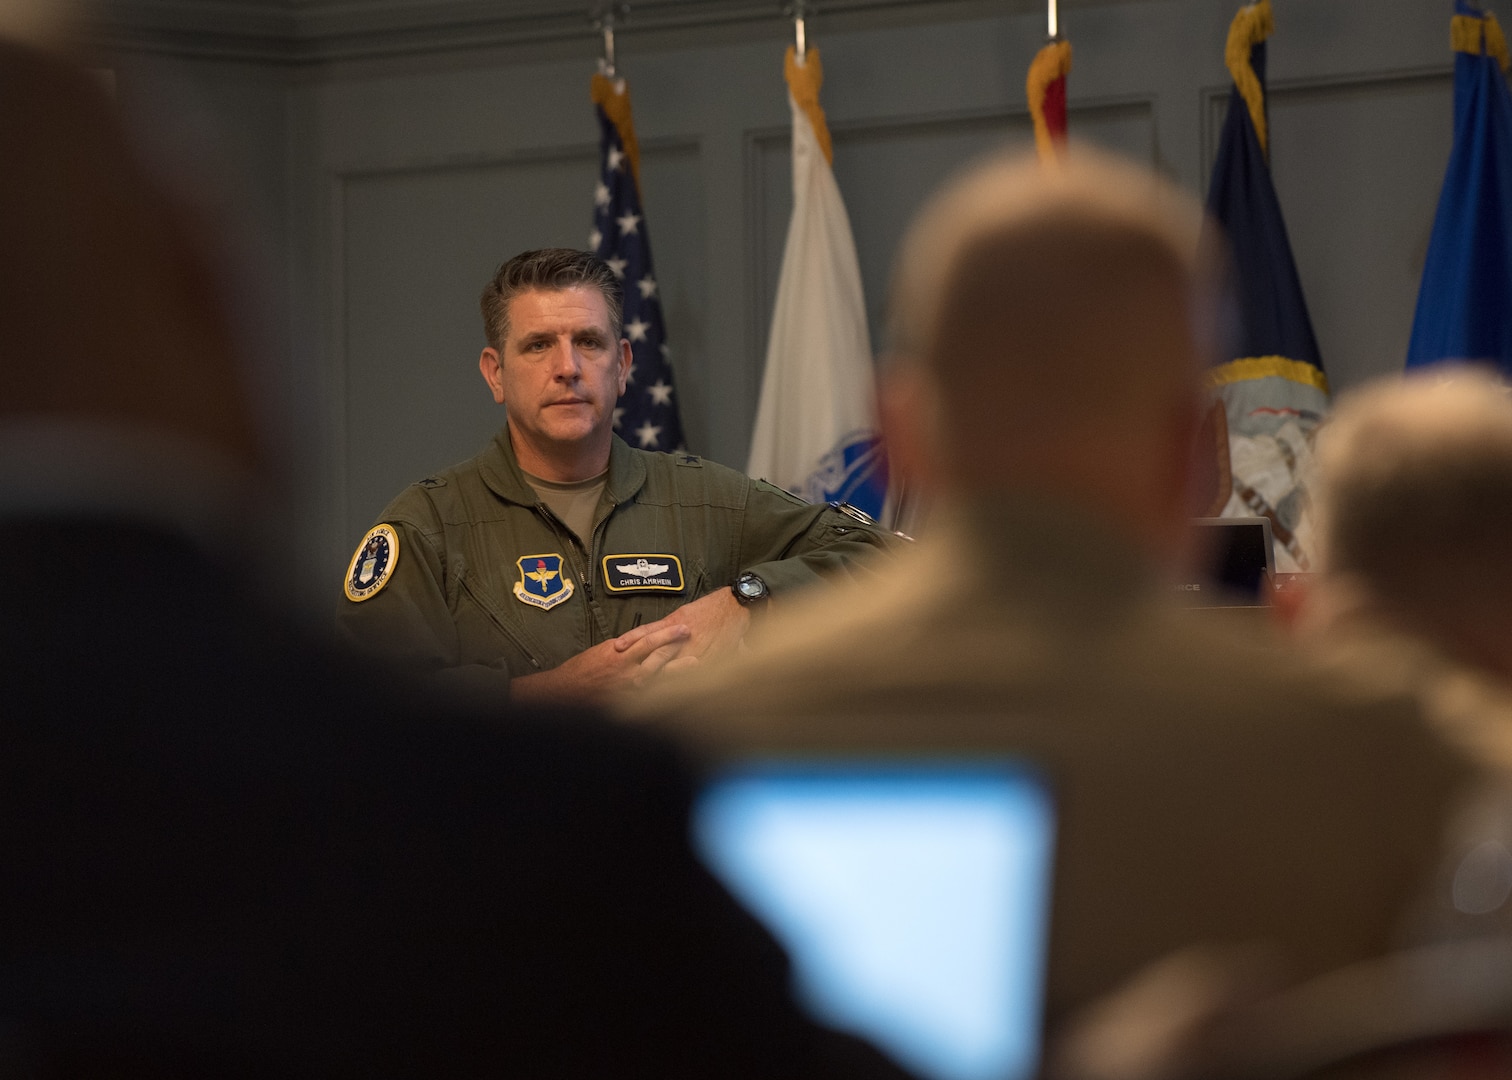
point(110, 314)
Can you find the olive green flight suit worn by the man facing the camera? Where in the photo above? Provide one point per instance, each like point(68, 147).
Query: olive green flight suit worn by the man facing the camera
point(489, 585)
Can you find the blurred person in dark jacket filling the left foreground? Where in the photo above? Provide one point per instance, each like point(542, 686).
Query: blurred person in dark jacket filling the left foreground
point(229, 851)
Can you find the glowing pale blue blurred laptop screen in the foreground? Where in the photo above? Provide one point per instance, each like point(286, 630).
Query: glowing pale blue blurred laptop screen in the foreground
point(912, 898)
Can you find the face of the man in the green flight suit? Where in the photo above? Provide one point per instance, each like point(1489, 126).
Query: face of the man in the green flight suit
point(560, 373)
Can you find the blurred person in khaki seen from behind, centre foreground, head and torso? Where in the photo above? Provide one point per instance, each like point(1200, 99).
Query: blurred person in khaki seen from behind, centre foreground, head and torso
point(1050, 334)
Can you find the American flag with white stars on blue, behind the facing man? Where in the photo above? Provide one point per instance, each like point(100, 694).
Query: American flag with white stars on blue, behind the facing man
point(646, 415)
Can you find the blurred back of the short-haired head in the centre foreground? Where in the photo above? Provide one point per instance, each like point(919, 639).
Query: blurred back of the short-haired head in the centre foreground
point(1049, 327)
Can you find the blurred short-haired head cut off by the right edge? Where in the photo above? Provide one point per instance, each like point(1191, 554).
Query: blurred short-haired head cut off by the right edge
point(1414, 503)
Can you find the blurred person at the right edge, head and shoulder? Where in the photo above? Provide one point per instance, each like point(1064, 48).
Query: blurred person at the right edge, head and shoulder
point(1414, 509)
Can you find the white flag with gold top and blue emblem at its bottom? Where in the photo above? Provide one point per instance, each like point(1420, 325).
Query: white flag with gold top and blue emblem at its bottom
point(817, 426)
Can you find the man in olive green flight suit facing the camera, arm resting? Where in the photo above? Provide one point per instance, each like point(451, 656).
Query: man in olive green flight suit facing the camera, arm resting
point(560, 562)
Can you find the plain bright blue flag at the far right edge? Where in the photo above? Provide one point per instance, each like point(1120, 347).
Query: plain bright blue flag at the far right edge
point(1466, 302)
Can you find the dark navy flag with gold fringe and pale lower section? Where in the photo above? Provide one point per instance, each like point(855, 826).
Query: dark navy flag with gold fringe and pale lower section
point(1274, 389)
